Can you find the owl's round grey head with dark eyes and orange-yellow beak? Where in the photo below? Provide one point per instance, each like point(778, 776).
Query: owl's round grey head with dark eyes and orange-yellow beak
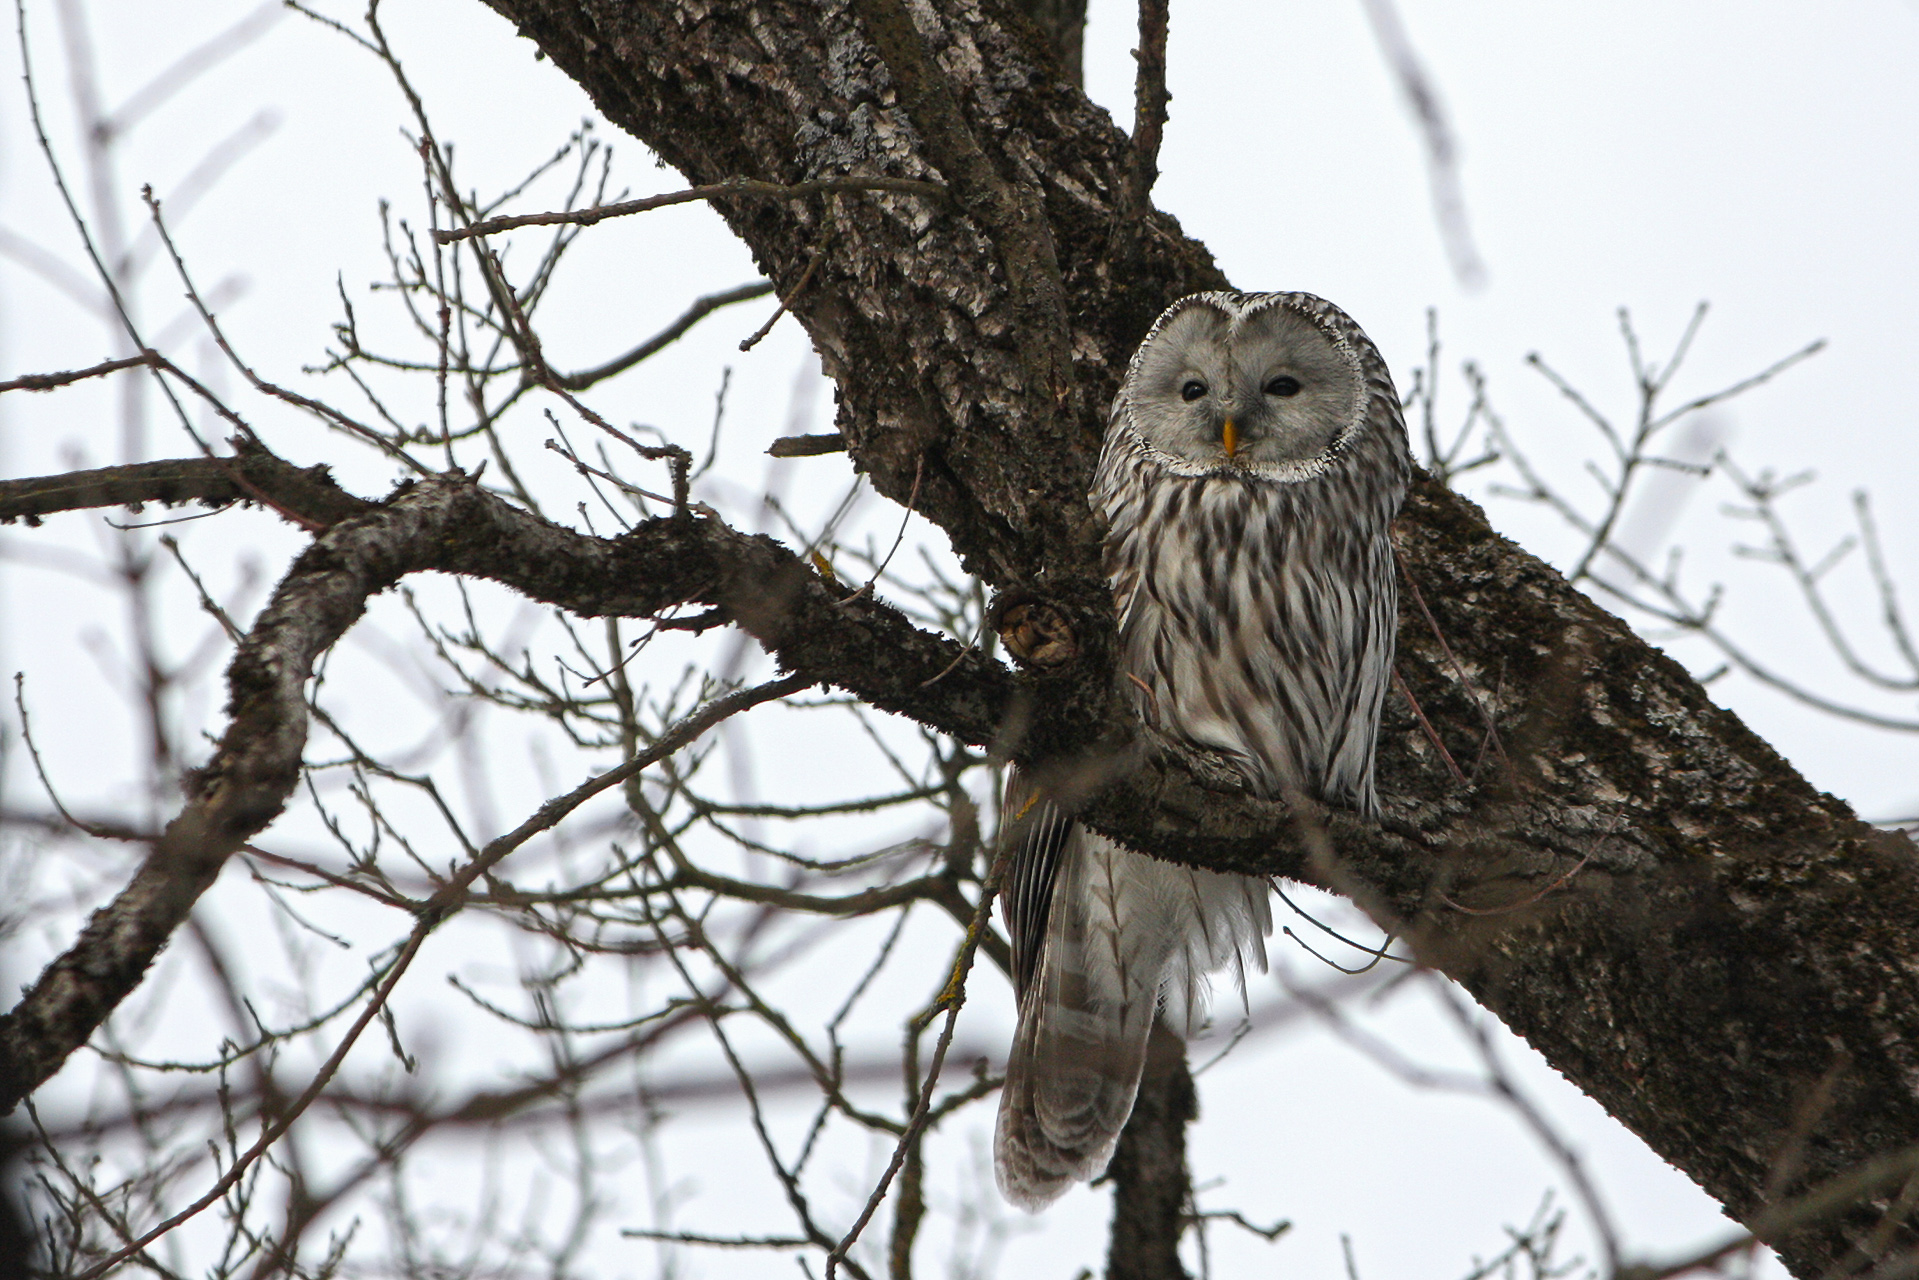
point(1256, 385)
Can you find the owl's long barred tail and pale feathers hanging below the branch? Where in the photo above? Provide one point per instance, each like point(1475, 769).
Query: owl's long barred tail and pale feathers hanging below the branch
point(1125, 936)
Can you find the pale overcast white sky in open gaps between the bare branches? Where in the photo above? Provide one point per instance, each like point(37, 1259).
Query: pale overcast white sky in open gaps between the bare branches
point(1632, 154)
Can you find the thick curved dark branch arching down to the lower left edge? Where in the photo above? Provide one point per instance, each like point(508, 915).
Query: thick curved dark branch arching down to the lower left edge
point(813, 627)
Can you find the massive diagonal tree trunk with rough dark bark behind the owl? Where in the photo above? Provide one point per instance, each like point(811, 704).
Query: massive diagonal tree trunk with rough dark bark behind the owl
point(1730, 932)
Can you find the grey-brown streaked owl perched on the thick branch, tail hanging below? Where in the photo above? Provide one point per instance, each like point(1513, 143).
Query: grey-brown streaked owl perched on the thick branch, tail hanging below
point(1252, 467)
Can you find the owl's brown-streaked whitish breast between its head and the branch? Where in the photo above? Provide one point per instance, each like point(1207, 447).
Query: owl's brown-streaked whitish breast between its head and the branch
point(1256, 619)
